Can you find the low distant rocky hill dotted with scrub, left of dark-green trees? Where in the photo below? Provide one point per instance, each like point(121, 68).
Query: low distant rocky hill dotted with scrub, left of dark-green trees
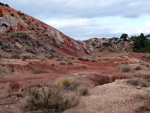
point(109, 45)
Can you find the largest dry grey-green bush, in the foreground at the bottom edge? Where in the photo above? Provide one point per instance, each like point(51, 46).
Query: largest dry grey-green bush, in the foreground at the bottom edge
point(49, 99)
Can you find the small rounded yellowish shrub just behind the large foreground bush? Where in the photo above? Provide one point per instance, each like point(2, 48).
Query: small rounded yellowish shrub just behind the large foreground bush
point(62, 82)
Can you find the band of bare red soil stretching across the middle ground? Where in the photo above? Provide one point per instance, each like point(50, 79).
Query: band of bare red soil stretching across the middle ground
point(25, 76)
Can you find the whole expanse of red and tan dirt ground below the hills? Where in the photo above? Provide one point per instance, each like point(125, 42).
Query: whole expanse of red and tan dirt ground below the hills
point(107, 94)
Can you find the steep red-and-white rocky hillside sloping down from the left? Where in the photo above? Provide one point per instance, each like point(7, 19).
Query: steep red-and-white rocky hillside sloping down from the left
point(21, 34)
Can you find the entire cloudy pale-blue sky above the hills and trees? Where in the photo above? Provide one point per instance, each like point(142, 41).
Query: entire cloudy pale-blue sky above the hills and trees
point(84, 19)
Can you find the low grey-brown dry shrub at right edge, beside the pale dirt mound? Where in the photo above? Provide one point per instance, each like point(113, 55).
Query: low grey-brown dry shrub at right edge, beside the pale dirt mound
point(139, 82)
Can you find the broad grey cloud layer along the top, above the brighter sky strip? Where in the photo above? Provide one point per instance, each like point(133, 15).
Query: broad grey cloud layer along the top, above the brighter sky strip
point(43, 9)
